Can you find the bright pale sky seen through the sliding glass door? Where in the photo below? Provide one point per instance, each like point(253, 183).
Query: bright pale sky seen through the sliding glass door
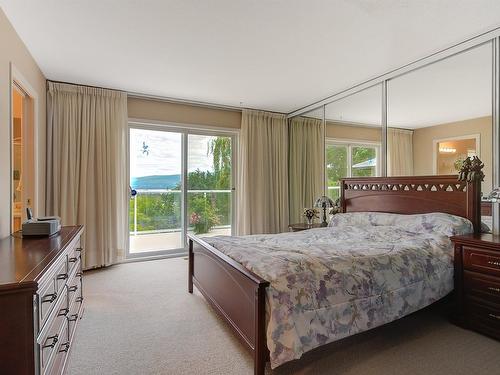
point(164, 157)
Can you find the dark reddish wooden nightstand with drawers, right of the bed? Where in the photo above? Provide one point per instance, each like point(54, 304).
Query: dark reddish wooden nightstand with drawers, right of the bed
point(477, 282)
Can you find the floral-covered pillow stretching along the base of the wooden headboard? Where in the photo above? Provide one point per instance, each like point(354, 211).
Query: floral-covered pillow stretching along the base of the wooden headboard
point(436, 222)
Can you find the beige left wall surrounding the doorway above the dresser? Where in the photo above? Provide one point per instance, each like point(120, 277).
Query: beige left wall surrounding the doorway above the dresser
point(14, 51)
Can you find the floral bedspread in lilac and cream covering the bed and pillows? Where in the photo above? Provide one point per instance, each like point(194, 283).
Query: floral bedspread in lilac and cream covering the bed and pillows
point(364, 270)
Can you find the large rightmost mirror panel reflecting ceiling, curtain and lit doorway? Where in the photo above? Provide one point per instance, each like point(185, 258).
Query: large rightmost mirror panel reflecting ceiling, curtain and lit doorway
point(441, 114)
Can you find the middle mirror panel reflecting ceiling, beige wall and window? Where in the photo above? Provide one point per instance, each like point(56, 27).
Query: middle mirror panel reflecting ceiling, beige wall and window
point(353, 138)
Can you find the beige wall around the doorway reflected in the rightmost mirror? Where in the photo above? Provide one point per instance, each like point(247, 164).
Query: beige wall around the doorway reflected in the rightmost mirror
point(423, 144)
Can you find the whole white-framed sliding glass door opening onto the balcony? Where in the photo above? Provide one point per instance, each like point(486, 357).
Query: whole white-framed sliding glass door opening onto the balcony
point(181, 181)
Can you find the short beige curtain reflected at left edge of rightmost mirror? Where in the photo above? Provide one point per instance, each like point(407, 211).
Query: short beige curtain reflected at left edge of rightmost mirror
point(399, 152)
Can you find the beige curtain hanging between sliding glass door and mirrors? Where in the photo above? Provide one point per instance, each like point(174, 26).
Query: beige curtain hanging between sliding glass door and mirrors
point(262, 188)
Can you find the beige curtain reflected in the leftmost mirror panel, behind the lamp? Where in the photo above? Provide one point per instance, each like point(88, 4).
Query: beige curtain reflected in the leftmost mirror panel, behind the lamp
point(305, 165)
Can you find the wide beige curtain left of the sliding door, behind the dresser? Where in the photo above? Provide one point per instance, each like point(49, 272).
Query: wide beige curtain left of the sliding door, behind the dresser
point(86, 166)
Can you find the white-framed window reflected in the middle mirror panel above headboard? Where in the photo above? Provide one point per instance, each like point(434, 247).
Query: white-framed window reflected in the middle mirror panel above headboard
point(345, 159)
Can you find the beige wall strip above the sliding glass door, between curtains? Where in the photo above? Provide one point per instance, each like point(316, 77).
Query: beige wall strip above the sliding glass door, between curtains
point(156, 110)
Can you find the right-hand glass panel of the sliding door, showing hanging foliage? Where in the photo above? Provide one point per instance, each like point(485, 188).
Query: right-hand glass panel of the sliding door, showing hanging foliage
point(209, 182)
